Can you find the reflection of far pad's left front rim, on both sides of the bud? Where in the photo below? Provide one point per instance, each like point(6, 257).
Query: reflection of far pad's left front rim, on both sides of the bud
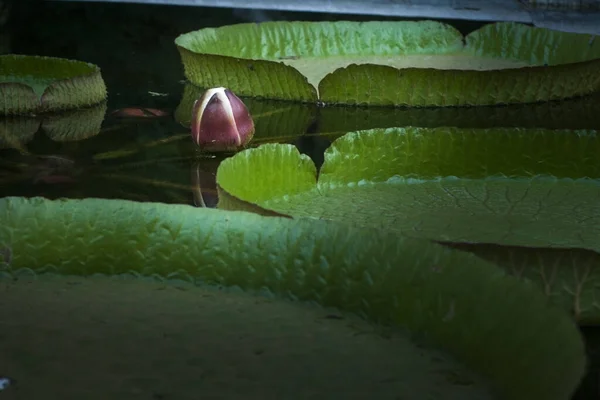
point(274, 121)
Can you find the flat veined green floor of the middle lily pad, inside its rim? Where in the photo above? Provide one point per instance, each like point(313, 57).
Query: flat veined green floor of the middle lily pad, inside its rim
point(523, 212)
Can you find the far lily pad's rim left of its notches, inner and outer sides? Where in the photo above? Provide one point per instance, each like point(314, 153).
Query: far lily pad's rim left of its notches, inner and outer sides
point(250, 59)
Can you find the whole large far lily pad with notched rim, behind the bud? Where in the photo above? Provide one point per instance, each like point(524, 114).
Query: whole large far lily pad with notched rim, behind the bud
point(410, 63)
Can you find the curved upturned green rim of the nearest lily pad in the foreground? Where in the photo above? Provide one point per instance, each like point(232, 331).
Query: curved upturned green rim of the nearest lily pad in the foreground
point(443, 296)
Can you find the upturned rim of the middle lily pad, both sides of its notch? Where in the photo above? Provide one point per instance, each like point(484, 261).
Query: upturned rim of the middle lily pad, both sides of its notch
point(468, 153)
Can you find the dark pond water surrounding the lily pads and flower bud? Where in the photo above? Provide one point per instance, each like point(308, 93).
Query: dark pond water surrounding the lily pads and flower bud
point(138, 145)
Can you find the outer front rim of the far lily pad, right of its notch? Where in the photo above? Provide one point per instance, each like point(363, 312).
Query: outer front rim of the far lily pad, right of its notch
point(383, 85)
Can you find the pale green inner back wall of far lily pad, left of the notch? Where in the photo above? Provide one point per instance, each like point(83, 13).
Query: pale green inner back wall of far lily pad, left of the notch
point(285, 40)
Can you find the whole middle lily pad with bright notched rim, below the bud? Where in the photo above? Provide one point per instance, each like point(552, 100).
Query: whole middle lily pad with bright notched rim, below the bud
point(509, 187)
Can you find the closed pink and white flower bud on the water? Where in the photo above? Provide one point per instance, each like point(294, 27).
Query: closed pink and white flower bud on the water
point(221, 121)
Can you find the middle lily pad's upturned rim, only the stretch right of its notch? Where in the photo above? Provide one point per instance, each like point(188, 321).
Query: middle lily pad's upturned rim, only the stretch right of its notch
point(428, 153)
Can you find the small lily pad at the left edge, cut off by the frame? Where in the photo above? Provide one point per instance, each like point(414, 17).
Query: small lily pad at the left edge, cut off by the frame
point(34, 84)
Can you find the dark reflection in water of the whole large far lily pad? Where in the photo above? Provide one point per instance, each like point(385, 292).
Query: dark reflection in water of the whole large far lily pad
point(282, 120)
